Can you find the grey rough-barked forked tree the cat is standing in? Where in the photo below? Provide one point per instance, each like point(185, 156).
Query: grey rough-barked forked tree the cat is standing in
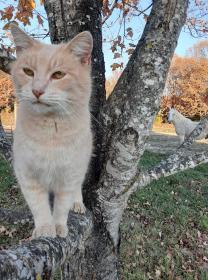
point(125, 118)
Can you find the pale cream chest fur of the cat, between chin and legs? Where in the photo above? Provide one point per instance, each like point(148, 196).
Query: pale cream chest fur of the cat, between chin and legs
point(50, 149)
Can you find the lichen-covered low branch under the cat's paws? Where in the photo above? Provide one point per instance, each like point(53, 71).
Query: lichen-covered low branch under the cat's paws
point(39, 258)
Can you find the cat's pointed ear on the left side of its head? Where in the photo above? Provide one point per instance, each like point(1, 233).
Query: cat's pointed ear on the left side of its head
point(21, 39)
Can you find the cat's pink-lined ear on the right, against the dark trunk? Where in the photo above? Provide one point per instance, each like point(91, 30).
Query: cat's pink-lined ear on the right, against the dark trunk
point(81, 46)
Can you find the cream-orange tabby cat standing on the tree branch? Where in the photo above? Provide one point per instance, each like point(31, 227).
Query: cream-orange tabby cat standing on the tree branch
point(53, 138)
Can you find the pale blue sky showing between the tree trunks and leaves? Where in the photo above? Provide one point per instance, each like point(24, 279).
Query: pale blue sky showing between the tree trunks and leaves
point(110, 33)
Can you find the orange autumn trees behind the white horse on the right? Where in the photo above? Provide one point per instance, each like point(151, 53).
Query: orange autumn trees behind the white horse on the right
point(186, 87)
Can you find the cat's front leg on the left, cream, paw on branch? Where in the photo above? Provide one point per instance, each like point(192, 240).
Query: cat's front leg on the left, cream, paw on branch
point(38, 201)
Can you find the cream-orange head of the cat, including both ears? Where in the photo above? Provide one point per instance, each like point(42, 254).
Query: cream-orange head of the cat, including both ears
point(52, 78)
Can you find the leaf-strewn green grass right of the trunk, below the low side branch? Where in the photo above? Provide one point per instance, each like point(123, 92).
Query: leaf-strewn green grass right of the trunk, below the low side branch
point(165, 227)
